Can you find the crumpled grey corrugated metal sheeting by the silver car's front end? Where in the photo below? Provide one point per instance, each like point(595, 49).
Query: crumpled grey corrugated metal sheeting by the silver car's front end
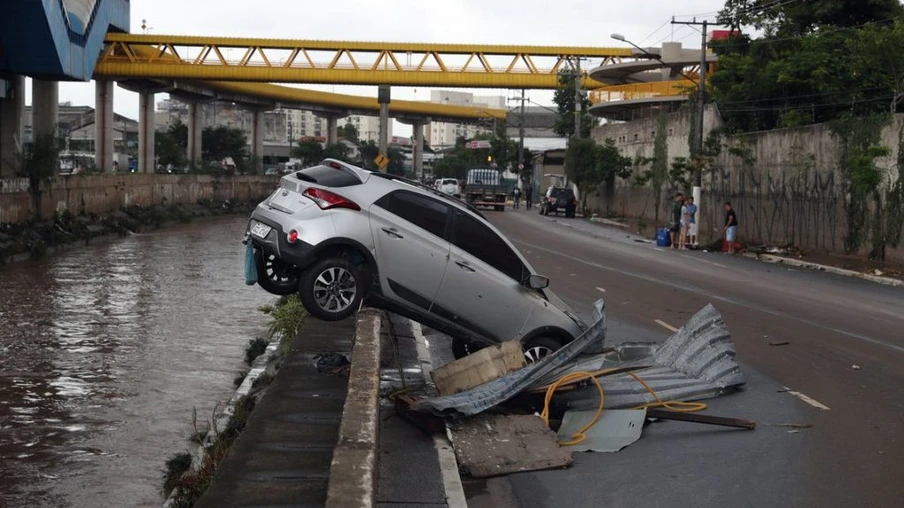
point(697, 362)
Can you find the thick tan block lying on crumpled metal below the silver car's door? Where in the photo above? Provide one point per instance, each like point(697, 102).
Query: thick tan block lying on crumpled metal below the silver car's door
point(476, 369)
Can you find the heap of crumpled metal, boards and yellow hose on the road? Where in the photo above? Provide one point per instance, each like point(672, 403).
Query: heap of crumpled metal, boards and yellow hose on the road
point(594, 396)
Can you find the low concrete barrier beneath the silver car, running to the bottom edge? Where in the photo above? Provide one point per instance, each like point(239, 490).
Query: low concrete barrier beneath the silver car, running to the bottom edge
point(353, 471)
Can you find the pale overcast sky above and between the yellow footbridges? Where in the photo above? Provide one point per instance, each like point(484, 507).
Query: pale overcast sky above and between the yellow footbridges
point(529, 22)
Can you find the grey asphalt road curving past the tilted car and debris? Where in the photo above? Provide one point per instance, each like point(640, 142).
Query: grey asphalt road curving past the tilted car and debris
point(845, 351)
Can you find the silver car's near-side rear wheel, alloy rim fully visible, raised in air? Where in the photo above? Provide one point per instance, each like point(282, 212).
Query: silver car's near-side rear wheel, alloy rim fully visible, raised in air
point(331, 289)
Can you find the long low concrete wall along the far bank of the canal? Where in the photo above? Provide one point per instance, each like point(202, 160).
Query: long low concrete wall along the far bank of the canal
point(107, 193)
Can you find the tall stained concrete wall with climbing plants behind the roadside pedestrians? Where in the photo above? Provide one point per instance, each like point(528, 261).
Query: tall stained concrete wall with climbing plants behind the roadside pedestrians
point(792, 192)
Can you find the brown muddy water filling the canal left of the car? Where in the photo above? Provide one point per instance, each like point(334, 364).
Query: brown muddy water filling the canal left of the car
point(105, 350)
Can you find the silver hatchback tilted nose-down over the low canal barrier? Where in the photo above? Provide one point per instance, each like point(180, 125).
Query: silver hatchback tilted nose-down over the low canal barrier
point(338, 234)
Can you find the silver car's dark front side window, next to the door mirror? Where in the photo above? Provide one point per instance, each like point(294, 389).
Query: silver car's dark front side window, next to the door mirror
point(469, 235)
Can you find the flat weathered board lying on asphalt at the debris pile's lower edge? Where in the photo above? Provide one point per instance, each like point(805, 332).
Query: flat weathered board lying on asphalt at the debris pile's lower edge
point(494, 445)
